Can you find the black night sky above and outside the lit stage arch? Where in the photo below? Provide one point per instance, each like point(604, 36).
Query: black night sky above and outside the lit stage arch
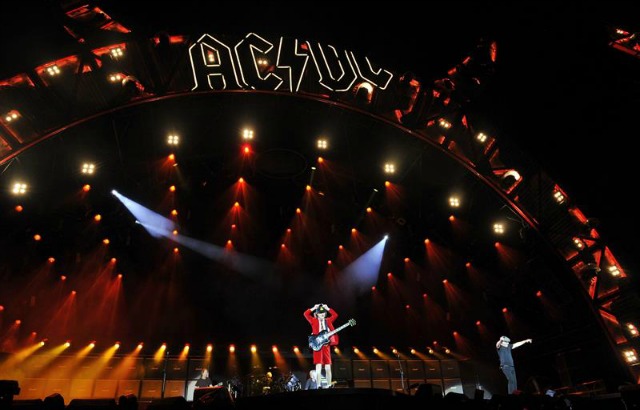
point(559, 93)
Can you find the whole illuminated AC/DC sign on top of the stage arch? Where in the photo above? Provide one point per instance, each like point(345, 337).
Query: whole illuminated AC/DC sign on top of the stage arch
point(290, 65)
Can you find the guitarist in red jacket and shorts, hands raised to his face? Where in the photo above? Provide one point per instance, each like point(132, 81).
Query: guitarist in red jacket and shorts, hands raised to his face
point(317, 317)
